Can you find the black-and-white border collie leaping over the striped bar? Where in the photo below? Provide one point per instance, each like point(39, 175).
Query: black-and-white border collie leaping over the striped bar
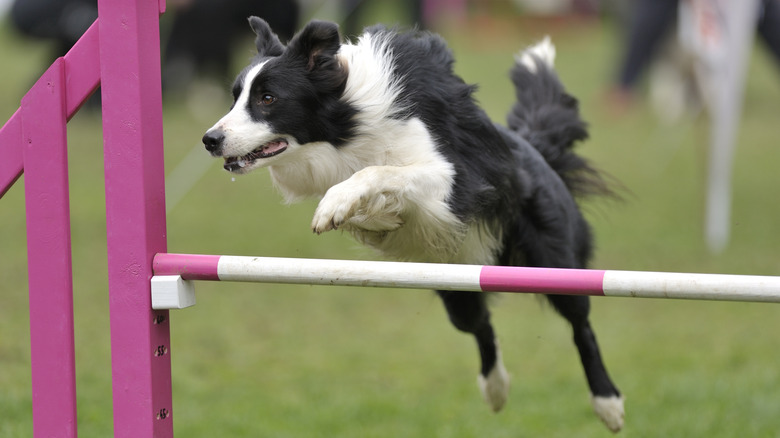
point(402, 157)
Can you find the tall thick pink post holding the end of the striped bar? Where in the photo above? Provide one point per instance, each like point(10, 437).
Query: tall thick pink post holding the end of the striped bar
point(135, 214)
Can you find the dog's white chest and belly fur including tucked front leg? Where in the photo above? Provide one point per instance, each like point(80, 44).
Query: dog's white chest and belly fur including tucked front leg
point(389, 188)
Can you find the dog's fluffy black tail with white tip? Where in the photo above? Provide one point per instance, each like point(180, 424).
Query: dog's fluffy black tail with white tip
point(548, 118)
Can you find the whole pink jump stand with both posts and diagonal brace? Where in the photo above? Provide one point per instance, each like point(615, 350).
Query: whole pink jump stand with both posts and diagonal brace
point(121, 52)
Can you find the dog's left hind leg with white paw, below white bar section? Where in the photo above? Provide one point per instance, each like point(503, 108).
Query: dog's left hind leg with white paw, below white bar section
point(468, 312)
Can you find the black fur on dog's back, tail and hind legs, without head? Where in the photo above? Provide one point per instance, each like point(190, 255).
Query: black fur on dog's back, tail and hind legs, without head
point(524, 178)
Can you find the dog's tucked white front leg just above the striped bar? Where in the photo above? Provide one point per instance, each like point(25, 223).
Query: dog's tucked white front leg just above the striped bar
point(379, 198)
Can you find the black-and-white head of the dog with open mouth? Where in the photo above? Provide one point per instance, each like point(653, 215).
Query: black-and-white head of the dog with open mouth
point(287, 97)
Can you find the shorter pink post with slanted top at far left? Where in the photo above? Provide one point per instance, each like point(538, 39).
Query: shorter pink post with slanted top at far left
point(49, 255)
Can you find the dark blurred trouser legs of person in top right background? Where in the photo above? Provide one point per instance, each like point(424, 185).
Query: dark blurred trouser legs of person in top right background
point(650, 24)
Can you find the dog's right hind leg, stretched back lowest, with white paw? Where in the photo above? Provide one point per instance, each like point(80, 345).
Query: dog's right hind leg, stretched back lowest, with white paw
point(605, 397)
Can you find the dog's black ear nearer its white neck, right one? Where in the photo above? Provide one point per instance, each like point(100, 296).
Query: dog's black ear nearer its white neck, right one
point(318, 43)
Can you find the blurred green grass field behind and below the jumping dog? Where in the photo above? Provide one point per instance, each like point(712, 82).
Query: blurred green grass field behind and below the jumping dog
point(253, 360)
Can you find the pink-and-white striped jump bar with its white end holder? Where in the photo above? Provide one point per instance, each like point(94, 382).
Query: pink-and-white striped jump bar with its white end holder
point(171, 287)
